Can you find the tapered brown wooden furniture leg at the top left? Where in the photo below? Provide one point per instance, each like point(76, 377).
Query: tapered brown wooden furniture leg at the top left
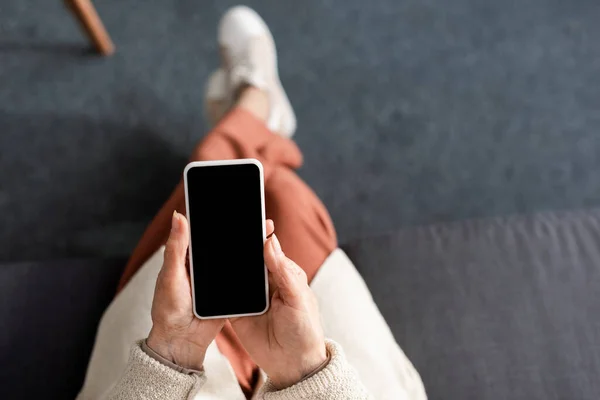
point(92, 25)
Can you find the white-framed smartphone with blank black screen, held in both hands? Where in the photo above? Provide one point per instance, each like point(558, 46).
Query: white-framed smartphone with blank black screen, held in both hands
point(225, 205)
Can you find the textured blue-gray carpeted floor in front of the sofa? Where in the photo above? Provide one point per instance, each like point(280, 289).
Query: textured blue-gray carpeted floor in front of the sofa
point(410, 112)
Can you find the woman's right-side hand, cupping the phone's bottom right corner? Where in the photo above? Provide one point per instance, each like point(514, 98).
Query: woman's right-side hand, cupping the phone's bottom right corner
point(287, 342)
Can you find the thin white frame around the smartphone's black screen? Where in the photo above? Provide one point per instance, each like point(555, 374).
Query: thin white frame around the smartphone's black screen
point(200, 164)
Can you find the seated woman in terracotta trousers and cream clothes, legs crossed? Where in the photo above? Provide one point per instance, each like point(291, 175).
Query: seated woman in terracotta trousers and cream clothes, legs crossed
point(322, 338)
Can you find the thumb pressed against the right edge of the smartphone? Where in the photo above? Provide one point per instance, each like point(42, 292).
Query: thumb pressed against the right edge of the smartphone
point(288, 277)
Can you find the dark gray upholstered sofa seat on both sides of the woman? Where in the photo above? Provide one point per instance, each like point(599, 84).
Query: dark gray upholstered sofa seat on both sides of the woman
point(489, 309)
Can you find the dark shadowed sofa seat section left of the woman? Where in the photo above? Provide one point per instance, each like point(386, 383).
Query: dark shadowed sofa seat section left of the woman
point(49, 313)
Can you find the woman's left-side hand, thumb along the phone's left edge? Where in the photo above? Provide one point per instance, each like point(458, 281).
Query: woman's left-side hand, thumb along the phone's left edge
point(177, 334)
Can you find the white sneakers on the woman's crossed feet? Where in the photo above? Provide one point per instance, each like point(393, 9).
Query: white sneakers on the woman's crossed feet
point(249, 57)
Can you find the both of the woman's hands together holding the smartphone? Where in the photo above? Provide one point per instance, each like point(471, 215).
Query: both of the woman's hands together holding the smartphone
point(287, 341)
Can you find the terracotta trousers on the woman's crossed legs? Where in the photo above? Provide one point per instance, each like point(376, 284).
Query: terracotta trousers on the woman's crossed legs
point(302, 222)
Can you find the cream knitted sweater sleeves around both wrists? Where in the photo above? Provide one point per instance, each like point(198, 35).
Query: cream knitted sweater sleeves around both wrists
point(146, 378)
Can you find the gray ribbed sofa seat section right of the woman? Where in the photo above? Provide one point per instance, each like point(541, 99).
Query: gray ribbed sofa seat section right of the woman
point(494, 309)
